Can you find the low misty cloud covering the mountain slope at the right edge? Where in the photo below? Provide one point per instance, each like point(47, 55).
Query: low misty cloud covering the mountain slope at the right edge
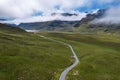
point(112, 16)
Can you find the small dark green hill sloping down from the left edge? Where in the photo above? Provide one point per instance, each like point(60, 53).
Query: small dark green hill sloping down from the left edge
point(10, 29)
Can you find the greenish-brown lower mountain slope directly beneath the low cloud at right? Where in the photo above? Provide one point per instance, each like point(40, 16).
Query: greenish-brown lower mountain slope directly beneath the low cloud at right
point(98, 28)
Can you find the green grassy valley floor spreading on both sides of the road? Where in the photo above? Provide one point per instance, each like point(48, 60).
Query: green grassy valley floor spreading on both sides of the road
point(28, 56)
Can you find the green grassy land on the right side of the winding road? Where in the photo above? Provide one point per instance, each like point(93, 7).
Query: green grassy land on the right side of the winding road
point(99, 56)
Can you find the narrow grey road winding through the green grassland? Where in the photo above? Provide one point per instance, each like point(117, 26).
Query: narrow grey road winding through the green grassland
point(68, 69)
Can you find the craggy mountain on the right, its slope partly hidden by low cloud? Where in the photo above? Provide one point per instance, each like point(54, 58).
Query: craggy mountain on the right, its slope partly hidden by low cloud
point(87, 26)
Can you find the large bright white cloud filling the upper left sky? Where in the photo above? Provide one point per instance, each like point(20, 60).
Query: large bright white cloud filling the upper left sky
point(25, 8)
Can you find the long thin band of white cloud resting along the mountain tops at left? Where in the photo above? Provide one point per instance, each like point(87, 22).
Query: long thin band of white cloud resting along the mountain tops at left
point(47, 18)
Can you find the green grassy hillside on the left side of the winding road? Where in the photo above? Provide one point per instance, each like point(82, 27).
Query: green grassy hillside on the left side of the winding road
point(30, 57)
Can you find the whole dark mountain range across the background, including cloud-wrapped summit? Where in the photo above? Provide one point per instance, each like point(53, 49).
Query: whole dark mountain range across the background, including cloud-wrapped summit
point(82, 26)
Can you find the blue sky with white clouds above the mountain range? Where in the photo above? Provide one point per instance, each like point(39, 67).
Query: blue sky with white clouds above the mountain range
point(17, 11)
